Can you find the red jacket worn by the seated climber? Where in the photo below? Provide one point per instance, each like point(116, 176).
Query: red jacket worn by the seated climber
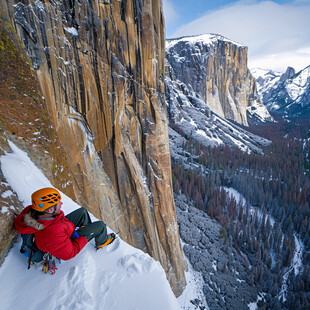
point(55, 237)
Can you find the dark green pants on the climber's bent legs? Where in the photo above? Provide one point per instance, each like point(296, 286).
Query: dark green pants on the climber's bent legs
point(97, 230)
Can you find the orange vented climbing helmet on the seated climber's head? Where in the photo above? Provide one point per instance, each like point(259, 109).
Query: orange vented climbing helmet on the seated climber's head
point(45, 198)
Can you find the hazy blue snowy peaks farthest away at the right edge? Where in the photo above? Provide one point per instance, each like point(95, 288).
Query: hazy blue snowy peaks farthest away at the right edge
point(286, 94)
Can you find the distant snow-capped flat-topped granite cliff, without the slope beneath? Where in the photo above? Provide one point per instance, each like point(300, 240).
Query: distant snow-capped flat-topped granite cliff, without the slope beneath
point(216, 69)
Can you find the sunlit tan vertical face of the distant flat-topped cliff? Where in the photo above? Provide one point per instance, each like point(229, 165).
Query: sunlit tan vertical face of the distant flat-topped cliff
point(229, 81)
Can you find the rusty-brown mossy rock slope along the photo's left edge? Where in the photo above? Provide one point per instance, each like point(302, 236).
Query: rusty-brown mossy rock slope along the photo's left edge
point(25, 122)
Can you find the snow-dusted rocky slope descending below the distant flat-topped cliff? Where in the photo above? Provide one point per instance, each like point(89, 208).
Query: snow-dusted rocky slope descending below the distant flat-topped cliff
point(190, 115)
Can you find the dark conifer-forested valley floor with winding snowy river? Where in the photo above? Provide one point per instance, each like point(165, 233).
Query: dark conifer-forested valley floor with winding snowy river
point(271, 230)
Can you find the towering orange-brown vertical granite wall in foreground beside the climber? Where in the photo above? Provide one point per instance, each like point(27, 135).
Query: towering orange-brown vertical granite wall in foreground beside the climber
point(100, 66)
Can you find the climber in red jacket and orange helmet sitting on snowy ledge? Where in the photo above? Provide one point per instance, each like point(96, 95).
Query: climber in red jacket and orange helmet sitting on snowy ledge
point(59, 235)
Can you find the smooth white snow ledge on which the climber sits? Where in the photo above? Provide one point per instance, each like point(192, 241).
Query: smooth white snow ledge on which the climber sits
point(117, 277)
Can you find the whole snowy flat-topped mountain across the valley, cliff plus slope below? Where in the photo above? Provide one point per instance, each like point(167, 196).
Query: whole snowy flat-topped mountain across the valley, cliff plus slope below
point(209, 92)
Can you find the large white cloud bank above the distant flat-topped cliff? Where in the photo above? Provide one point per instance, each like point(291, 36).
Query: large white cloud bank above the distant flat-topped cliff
point(276, 34)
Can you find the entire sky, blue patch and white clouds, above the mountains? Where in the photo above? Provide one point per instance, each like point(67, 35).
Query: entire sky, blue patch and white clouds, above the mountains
point(276, 32)
